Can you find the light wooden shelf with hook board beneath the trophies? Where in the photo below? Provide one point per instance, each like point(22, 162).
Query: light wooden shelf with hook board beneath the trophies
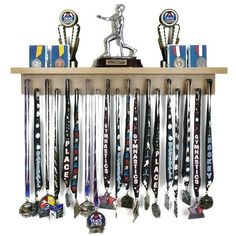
point(138, 77)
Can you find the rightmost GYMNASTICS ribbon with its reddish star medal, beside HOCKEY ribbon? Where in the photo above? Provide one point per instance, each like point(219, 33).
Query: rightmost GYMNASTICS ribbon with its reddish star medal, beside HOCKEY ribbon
point(195, 211)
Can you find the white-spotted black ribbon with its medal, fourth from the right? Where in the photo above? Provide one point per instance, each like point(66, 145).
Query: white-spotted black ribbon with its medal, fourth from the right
point(176, 162)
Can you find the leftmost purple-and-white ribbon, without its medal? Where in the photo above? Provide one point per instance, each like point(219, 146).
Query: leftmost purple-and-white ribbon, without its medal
point(26, 131)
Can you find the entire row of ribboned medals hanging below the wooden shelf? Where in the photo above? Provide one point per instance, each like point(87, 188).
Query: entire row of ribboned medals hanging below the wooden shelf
point(49, 205)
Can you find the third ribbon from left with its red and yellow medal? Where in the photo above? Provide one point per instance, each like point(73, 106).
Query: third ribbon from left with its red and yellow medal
point(48, 200)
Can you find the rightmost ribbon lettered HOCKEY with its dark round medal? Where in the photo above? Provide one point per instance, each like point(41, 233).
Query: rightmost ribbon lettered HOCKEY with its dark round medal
point(206, 202)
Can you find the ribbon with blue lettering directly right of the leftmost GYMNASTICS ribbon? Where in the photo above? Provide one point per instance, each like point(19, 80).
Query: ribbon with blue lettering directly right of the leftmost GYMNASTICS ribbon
point(118, 146)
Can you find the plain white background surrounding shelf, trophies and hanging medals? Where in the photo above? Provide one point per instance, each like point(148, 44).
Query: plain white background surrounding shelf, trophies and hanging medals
point(35, 22)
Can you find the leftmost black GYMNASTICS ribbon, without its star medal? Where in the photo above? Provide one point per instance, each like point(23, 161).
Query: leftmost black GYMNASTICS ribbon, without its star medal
point(106, 138)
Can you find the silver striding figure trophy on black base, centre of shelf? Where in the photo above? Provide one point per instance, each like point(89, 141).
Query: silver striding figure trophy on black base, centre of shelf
point(122, 60)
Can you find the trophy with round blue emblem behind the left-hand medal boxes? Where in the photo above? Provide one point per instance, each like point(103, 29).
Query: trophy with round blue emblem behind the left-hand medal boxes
point(69, 22)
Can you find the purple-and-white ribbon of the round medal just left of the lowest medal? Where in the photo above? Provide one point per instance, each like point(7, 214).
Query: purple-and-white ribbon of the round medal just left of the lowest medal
point(87, 139)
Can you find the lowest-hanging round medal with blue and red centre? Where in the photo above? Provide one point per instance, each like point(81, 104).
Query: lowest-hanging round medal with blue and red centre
point(96, 222)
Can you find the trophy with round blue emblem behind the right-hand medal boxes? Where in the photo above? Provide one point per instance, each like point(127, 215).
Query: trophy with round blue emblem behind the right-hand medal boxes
point(168, 31)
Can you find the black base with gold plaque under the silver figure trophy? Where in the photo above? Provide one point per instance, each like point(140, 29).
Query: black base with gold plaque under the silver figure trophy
point(118, 62)
